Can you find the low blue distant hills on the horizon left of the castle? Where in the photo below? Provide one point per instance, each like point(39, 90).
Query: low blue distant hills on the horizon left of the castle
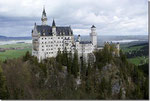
point(4, 38)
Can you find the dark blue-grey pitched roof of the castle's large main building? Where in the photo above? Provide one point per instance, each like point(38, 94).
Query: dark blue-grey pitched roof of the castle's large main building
point(48, 30)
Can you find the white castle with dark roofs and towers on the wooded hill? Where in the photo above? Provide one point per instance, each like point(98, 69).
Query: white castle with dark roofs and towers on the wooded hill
point(47, 40)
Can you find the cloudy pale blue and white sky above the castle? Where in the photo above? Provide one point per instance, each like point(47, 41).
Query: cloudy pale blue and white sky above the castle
point(111, 17)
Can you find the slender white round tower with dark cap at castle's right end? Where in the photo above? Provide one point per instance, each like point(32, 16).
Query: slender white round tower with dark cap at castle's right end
point(93, 36)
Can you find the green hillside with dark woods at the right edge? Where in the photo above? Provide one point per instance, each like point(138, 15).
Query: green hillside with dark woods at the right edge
point(137, 53)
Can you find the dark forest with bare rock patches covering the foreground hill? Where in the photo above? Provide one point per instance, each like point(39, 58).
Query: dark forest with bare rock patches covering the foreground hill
point(67, 77)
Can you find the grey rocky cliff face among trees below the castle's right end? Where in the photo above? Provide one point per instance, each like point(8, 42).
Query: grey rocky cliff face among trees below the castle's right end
point(111, 73)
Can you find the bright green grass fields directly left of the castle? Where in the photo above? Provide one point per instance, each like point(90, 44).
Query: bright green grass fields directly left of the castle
point(10, 54)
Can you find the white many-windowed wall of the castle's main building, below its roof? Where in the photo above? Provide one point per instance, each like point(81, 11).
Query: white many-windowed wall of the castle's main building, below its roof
point(49, 46)
